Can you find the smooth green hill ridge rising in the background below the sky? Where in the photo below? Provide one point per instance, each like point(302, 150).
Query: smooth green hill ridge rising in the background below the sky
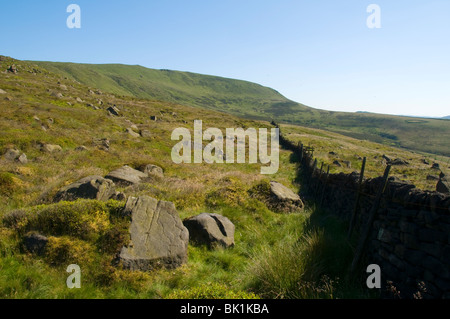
point(253, 101)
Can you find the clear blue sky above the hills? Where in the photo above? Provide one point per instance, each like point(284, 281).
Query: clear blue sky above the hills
point(320, 53)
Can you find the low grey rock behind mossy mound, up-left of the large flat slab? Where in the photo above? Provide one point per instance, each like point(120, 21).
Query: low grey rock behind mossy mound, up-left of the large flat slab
point(91, 187)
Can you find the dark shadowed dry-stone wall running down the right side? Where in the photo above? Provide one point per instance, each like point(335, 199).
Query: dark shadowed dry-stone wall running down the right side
point(410, 236)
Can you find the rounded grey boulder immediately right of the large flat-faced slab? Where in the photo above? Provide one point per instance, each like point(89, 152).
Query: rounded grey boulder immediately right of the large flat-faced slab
point(213, 230)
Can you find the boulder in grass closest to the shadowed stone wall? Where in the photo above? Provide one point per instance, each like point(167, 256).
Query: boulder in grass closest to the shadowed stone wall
point(284, 199)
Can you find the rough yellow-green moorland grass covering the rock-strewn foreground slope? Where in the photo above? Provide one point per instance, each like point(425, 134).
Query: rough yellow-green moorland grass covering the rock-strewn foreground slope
point(275, 256)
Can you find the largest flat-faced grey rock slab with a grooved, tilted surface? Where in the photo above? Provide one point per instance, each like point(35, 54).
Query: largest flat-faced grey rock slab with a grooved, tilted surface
point(157, 235)
